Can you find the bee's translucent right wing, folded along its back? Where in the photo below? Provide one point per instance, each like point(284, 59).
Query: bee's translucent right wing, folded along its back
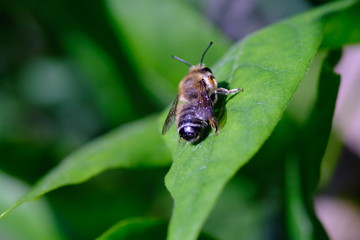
point(204, 102)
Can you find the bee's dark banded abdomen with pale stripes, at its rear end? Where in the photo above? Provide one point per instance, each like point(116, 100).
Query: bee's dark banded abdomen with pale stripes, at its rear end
point(190, 126)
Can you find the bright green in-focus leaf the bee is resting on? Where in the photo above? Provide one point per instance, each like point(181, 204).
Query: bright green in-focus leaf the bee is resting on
point(269, 65)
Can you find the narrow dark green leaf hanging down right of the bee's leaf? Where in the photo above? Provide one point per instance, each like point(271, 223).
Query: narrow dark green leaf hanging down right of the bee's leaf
point(302, 166)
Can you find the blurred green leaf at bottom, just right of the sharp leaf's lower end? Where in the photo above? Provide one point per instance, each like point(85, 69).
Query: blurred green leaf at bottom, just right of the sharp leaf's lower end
point(241, 212)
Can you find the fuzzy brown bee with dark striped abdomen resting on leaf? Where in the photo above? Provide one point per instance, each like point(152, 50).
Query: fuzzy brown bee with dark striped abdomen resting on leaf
point(193, 106)
